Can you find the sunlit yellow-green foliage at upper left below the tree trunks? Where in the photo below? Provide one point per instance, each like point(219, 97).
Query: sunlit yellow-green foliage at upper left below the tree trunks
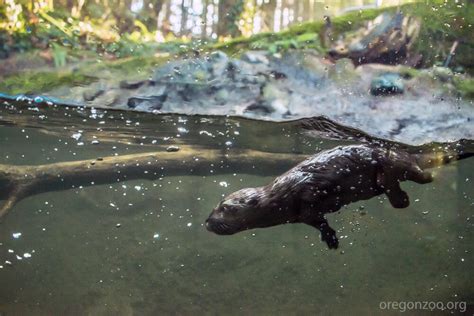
point(95, 34)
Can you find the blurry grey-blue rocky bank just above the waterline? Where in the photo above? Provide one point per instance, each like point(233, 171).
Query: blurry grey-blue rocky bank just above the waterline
point(394, 102)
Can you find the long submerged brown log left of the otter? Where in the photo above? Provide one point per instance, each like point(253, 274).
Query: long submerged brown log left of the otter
point(20, 181)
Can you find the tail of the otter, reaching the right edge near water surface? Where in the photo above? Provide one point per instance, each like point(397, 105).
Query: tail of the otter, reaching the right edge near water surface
point(436, 154)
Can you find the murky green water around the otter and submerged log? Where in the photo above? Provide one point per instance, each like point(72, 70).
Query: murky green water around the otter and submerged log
point(140, 247)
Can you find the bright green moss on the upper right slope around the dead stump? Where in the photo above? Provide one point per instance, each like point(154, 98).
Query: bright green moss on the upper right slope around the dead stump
point(443, 22)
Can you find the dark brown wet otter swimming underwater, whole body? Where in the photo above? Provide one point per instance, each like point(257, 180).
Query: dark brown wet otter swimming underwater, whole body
point(323, 184)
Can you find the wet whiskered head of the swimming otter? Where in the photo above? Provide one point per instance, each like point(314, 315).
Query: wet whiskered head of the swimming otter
point(237, 212)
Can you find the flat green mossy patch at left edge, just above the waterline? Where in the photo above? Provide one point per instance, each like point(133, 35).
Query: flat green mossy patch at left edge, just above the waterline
point(38, 82)
